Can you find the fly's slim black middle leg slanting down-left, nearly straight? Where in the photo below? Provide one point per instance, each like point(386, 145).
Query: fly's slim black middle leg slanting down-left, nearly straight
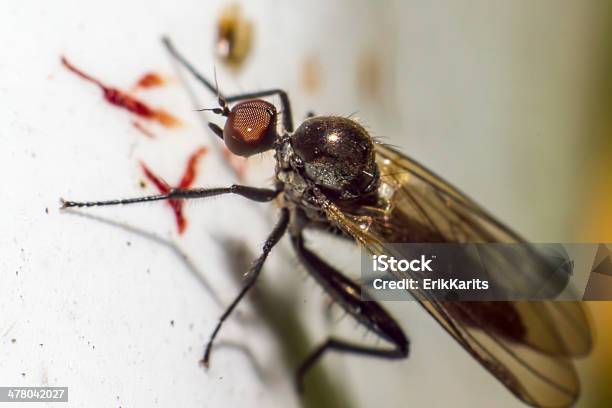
point(251, 276)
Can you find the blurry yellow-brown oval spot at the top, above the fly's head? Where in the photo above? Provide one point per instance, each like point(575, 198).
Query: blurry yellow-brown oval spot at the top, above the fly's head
point(234, 36)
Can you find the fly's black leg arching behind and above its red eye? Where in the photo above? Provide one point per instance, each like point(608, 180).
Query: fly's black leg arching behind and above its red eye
point(287, 116)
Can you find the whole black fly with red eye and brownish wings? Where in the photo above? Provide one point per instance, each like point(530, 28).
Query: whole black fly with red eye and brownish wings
point(331, 175)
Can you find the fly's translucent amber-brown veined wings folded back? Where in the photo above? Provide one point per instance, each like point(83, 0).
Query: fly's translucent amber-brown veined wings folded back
point(528, 346)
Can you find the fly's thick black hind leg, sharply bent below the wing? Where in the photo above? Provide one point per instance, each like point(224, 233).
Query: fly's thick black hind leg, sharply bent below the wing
point(348, 294)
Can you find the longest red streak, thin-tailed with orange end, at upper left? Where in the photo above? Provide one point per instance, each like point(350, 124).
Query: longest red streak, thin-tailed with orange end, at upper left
point(123, 100)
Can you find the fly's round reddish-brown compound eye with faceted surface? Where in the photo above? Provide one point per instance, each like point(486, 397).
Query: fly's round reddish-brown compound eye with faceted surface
point(250, 127)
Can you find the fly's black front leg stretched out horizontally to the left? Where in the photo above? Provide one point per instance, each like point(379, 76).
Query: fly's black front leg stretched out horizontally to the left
point(252, 193)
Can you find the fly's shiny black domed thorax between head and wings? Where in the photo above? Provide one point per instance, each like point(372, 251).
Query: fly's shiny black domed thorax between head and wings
point(333, 154)
